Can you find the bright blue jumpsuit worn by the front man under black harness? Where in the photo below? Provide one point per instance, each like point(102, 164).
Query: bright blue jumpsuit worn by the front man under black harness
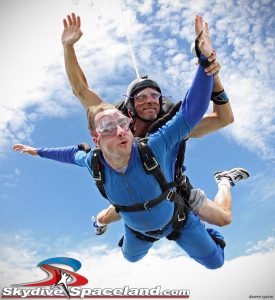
point(135, 186)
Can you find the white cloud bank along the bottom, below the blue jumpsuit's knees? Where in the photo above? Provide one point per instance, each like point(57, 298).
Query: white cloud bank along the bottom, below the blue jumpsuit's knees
point(105, 267)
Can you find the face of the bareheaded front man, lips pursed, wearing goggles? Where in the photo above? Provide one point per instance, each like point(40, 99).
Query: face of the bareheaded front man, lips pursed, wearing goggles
point(112, 135)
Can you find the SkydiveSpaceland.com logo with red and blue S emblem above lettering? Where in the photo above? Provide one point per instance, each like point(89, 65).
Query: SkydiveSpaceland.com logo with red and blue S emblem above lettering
point(63, 283)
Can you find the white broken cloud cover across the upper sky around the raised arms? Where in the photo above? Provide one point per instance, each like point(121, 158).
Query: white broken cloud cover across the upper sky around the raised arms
point(242, 34)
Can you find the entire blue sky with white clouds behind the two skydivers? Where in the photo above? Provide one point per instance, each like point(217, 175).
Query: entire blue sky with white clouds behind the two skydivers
point(46, 207)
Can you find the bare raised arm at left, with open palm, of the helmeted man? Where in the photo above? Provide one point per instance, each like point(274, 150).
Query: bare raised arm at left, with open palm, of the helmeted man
point(71, 34)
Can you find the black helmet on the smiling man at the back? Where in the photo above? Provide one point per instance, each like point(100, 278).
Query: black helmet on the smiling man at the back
point(136, 85)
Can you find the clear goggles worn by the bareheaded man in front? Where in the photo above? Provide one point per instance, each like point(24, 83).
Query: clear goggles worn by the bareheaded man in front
point(107, 125)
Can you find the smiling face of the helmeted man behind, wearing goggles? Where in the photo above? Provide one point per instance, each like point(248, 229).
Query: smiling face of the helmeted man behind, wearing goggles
point(148, 108)
